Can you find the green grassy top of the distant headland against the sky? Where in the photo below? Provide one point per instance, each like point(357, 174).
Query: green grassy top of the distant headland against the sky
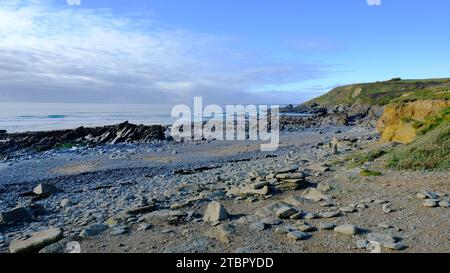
point(381, 93)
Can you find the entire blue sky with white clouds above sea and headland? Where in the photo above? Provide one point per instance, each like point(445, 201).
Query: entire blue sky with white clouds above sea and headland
point(227, 51)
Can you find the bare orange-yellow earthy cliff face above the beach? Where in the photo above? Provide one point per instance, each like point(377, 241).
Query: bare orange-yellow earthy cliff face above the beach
point(397, 123)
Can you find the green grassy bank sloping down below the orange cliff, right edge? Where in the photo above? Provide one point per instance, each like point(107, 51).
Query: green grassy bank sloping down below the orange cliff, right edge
point(431, 150)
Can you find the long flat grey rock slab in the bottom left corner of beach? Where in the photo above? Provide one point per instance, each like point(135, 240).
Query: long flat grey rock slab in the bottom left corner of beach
point(37, 241)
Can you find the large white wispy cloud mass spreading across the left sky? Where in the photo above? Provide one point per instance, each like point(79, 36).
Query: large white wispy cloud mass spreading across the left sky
point(75, 54)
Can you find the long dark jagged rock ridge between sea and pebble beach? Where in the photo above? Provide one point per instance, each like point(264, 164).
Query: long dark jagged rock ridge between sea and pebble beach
point(42, 141)
